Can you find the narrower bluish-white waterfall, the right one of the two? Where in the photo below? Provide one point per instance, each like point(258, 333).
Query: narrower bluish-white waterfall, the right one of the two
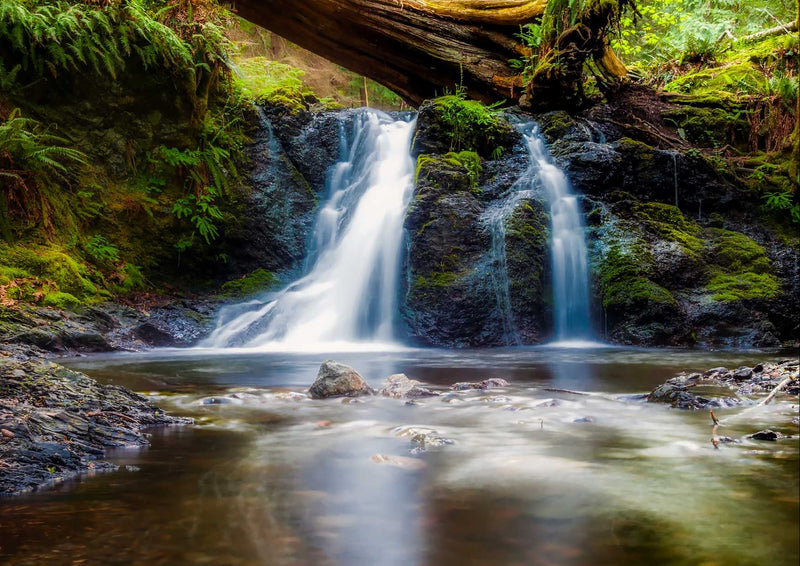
point(568, 244)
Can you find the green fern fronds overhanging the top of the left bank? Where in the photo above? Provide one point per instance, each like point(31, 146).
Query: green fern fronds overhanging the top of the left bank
point(186, 38)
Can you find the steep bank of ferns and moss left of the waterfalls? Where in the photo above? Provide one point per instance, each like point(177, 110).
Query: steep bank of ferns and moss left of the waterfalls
point(179, 183)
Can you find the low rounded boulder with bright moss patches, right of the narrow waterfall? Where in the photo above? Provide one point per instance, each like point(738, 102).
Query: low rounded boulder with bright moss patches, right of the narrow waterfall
point(663, 278)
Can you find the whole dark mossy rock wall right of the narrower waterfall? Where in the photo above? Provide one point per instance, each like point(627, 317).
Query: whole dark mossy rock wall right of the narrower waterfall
point(680, 254)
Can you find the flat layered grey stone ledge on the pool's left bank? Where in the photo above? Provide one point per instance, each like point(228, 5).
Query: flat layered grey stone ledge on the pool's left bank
point(56, 423)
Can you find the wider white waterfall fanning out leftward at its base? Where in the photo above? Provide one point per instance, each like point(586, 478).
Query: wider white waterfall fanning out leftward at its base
point(349, 291)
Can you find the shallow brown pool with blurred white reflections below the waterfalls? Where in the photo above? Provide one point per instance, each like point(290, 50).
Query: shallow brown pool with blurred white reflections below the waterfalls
point(563, 467)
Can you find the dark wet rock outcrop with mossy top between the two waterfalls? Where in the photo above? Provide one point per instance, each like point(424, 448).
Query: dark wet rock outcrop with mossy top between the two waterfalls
point(477, 248)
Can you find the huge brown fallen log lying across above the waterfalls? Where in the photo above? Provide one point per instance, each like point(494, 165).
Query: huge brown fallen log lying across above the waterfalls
point(417, 48)
